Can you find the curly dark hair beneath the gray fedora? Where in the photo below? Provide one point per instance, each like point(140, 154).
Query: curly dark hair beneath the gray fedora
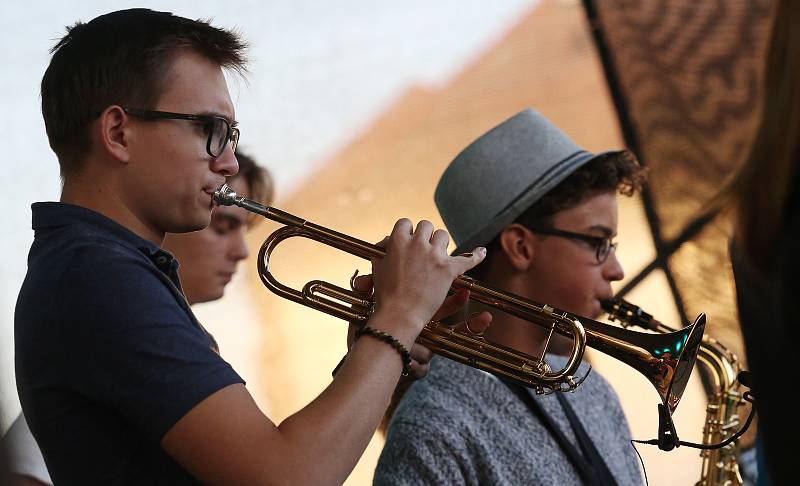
point(614, 171)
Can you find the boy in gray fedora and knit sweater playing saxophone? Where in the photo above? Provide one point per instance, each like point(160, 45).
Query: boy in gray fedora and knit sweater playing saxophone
point(547, 212)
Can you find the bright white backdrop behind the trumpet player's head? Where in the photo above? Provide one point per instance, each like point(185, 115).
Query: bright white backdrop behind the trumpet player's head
point(321, 72)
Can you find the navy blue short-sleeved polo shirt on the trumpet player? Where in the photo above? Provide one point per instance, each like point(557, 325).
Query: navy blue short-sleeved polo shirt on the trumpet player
point(108, 353)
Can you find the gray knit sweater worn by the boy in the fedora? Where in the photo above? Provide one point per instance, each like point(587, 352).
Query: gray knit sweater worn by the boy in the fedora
point(460, 425)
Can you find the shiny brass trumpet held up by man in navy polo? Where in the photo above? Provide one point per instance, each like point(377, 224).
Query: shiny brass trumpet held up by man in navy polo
point(666, 360)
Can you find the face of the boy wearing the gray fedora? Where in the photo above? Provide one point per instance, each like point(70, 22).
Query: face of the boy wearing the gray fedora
point(565, 272)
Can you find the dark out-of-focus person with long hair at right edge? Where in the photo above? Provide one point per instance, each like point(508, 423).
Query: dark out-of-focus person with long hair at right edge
point(765, 250)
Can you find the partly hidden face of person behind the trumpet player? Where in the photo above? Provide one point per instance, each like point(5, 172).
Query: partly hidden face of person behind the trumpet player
point(208, 257)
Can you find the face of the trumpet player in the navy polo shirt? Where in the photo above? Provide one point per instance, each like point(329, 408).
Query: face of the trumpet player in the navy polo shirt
point(170, 178)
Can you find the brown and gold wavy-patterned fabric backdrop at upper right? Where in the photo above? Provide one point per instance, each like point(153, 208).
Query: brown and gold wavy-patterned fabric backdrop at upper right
point(686, 80)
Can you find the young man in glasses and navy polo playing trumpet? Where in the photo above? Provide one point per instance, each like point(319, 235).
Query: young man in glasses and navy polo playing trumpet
point(119, 382)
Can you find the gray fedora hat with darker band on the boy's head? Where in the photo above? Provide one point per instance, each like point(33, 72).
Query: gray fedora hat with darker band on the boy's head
point(503, 173)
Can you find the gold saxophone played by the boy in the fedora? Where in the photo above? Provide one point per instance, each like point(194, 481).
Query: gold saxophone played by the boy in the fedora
point(720, 466)
